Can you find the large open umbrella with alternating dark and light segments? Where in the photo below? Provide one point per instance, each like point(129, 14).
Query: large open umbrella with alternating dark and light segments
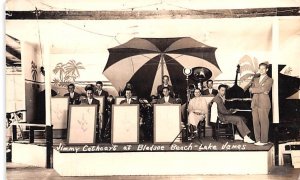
point(143, 62)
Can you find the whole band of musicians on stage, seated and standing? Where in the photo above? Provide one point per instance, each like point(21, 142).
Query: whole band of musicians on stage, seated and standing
point(194, 106)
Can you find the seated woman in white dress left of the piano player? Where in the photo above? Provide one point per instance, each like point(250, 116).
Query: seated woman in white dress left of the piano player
point(197, 109)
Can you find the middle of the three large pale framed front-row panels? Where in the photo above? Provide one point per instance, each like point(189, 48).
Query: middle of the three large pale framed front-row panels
point(125, 124)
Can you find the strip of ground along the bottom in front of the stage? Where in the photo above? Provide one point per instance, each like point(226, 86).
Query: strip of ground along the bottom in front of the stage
point(19, 171)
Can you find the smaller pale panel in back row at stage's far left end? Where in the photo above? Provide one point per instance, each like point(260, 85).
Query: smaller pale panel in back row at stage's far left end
point(59, 112)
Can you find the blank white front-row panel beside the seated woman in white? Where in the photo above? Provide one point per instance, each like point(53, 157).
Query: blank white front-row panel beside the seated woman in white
point(167, 120)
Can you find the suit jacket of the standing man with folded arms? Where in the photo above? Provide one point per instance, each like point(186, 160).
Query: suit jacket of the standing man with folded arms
point(260, 92)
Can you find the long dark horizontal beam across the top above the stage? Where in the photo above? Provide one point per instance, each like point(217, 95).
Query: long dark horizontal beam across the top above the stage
point(159, 14)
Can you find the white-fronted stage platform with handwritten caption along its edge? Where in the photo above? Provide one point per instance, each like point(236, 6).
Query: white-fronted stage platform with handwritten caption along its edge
point(188, 158)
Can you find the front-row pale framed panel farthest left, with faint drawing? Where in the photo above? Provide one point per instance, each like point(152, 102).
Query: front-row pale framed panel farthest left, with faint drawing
point(82, 124)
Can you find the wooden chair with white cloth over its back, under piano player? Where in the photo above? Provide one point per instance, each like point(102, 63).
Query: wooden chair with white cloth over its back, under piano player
point(220, 128)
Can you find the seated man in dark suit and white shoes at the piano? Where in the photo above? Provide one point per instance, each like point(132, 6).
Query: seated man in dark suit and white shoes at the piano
point(226, 115)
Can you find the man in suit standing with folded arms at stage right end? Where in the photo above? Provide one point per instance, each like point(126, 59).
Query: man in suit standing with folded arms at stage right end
point(261, 104)
